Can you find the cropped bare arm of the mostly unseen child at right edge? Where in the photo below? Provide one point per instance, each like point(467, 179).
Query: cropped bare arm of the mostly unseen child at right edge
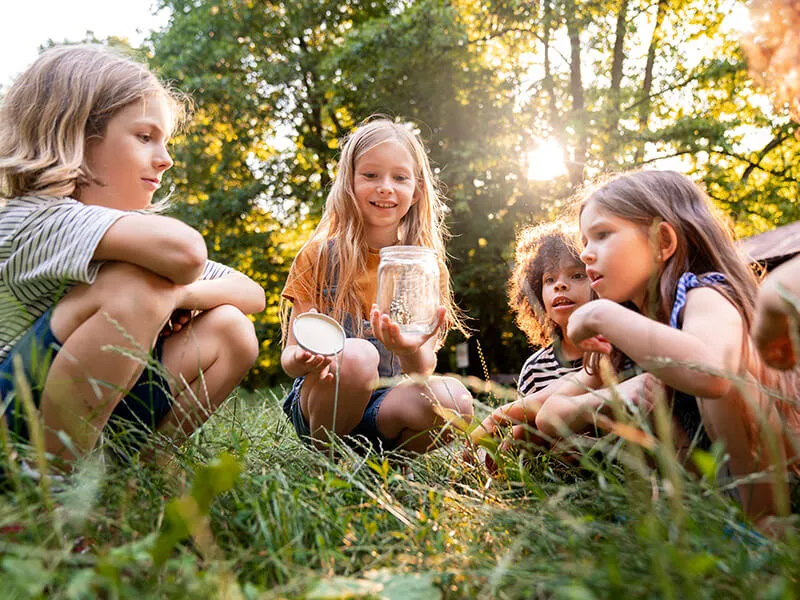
point(775, 316)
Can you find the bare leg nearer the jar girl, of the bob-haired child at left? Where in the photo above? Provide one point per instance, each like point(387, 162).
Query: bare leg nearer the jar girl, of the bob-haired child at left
point(211, 355)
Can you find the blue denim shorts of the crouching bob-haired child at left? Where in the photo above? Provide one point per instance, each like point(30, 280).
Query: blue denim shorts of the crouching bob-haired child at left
point(139, 412)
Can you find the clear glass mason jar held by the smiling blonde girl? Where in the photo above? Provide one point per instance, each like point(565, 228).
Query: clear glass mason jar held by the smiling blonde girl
point(408, 287)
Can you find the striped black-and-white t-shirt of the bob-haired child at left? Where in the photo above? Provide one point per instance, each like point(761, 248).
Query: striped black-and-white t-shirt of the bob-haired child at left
point(46, 247)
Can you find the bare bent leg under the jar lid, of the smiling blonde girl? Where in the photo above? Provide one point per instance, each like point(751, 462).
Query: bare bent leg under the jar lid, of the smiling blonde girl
point(358, 371)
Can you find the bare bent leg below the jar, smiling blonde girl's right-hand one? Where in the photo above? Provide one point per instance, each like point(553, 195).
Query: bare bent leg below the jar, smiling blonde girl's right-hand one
point(407, 411)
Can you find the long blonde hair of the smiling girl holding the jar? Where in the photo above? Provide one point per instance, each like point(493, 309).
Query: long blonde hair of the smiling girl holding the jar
point(339, 240)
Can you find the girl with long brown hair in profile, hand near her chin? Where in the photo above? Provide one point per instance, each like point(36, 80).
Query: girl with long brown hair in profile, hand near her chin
point(677, 298)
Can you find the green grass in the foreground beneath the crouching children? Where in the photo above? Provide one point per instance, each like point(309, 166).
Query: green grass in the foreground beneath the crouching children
point(297, 523)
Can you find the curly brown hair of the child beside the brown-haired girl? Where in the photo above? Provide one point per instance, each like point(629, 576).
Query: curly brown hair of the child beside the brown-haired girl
point(540, 248)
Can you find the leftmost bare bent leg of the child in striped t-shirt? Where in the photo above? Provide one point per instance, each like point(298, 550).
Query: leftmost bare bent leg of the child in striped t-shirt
point(86, 381)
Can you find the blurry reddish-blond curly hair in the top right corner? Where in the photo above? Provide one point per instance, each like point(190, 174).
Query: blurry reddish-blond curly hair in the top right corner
point(772, 47)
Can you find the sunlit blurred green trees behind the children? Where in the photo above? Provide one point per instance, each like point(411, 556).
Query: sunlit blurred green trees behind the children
point(519, 102)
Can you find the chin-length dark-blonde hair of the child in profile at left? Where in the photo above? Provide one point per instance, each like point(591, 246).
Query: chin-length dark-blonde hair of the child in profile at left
point(63, 100)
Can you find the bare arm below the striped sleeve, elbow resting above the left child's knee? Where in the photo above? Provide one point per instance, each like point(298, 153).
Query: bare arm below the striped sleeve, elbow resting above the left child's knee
point(160, 244)
